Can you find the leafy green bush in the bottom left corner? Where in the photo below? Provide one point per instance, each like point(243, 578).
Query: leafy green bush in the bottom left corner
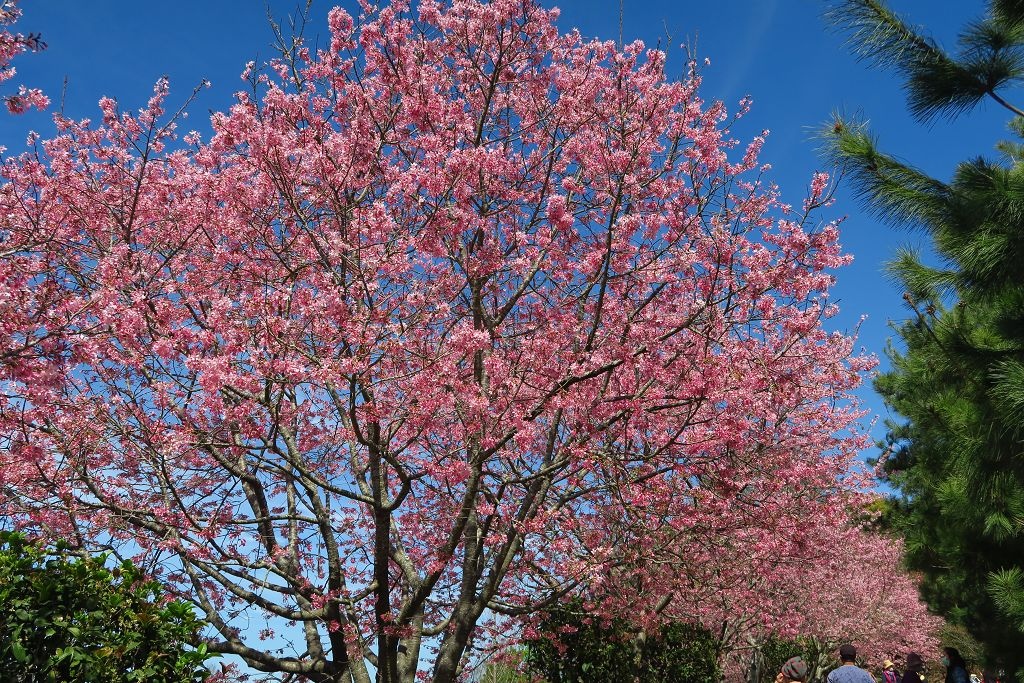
point(73, 620)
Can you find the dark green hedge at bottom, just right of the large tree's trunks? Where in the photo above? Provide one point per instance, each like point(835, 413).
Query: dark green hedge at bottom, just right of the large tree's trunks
point(580, 649)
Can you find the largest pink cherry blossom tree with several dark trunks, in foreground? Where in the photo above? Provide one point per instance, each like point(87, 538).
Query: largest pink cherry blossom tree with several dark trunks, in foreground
point(445, 322)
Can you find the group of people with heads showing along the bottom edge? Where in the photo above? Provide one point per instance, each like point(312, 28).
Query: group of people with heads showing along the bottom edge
point(797, 671)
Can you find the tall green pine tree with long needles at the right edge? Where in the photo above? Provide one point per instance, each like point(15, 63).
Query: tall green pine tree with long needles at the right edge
point(958, 368)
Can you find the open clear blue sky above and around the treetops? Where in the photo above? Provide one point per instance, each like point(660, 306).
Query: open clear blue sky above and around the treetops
point(779, 52)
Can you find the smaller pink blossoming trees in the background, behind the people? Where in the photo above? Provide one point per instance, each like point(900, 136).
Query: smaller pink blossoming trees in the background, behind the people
point(788, 560)
